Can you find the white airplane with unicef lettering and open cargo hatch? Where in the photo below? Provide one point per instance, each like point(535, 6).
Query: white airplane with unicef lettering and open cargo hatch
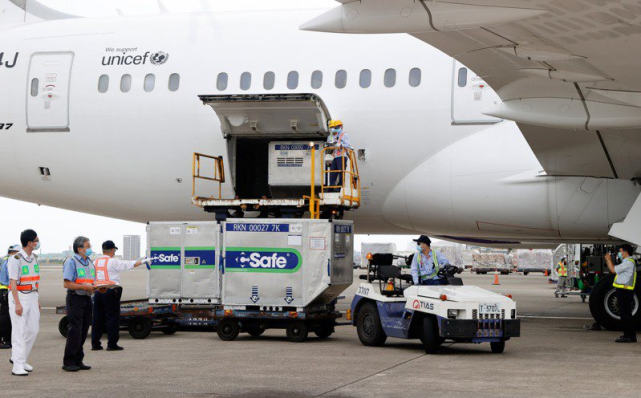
point(102, 115)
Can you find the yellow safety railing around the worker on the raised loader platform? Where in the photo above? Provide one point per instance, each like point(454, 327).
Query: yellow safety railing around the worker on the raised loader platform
point(350, 187)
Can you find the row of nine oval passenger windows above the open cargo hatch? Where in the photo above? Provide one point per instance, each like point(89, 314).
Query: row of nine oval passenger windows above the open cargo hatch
point(340, 79)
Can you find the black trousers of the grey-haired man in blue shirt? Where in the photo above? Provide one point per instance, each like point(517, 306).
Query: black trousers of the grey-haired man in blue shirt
point(79, 316)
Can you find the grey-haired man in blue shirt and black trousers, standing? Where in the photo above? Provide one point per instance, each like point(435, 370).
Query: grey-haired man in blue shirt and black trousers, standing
point(78, 273)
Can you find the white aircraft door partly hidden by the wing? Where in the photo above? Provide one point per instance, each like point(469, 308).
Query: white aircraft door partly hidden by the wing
point(470, 96)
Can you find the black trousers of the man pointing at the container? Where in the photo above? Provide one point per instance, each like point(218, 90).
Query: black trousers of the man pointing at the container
point(106, 317)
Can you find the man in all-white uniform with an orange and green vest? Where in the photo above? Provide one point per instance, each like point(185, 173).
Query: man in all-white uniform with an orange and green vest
point(24, 305)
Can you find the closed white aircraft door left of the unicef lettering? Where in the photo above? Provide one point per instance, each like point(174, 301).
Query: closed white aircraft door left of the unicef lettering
point(48, 91)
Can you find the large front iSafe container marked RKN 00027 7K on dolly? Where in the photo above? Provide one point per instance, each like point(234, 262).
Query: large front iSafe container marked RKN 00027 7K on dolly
point(276, 263)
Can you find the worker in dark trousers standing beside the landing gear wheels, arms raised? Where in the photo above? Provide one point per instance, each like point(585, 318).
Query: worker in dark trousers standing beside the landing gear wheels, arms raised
point(624, 282)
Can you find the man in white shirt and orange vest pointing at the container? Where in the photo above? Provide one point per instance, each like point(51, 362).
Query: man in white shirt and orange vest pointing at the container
point(106, 307)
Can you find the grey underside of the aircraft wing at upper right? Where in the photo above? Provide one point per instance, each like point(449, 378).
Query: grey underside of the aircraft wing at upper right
point(567, 71)
